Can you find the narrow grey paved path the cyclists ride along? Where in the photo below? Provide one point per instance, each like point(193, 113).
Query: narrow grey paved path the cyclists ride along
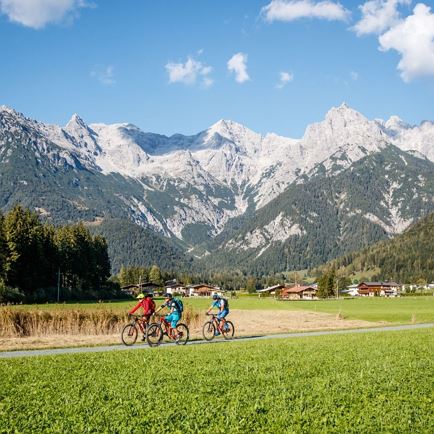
point(79, 350)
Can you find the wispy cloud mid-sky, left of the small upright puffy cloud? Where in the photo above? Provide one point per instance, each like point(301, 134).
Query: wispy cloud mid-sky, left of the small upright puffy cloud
point(190, 73)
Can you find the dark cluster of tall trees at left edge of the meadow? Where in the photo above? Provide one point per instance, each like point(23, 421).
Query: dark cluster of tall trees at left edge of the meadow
point(38, 259)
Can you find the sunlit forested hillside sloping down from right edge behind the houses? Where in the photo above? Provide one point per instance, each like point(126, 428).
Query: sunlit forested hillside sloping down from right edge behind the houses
point(407, 258)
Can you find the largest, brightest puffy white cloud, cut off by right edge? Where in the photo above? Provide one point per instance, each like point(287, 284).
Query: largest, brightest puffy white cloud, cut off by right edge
point(413, 38)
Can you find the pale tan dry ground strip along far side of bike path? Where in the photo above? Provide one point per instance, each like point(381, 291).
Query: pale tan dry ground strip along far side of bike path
point(247, 323)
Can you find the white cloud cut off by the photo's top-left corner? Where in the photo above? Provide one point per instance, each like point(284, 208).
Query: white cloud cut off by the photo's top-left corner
point(38, 13)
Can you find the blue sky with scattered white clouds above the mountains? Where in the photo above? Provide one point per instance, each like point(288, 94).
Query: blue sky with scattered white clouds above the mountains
point(180, 66)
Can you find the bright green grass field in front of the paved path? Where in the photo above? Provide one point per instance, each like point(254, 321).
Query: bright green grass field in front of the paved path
point(370, 383)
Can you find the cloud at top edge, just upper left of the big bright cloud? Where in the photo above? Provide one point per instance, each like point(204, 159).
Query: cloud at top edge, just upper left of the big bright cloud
point(378, 16)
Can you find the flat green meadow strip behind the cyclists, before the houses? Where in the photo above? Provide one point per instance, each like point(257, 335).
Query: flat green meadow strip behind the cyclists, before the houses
point(401, 309)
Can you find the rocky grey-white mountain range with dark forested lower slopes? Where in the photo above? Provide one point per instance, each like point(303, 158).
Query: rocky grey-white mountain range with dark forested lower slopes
point(227, 196)
